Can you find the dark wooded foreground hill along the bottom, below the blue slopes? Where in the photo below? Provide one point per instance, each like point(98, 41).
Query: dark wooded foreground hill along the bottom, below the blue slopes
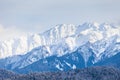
point(92, 73)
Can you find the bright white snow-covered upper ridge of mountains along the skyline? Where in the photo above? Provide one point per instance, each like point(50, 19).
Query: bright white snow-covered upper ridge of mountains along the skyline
point(68, 34)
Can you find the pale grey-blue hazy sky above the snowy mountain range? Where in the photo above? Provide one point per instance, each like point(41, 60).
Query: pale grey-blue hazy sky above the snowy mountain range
point(18, 17)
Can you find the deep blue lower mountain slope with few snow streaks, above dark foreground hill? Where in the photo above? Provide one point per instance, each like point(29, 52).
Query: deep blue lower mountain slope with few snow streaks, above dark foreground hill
point(69, 61)
